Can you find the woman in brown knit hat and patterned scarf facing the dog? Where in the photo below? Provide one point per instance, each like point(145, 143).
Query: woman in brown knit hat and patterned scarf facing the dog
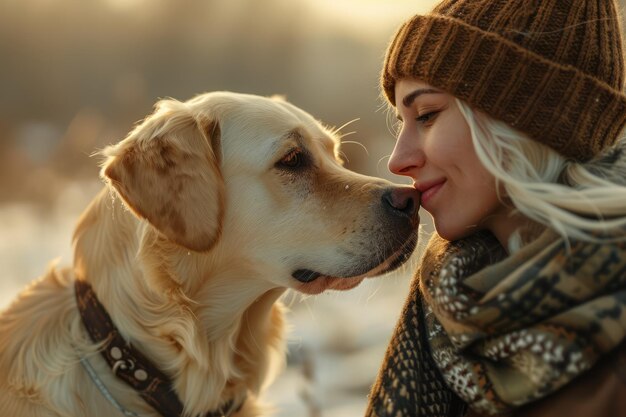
point(511, 117)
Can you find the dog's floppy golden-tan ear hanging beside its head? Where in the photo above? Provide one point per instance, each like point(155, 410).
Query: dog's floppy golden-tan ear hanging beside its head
point(167, 172)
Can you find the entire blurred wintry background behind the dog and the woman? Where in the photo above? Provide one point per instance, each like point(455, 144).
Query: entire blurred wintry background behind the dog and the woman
point(76, 75)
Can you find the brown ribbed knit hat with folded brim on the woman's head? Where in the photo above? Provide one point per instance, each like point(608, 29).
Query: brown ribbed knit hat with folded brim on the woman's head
point(553, 69)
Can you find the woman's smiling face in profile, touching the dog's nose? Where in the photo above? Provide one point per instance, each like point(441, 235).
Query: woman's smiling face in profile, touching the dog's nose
point(434, 148)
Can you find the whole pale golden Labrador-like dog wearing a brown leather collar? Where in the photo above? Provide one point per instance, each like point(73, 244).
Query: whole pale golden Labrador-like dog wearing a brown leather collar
point(211, 209)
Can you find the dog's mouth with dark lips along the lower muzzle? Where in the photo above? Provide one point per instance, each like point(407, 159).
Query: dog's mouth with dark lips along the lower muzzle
point(314, 282)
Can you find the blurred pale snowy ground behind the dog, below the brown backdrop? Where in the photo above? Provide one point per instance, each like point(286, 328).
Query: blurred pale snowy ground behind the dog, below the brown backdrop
point(336, 343)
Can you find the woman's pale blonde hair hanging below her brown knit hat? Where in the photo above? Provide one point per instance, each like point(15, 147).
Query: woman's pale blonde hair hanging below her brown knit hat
point(585, 201)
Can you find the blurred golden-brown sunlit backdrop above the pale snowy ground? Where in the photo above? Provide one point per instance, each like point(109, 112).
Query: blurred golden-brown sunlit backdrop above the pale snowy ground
point(77, 74)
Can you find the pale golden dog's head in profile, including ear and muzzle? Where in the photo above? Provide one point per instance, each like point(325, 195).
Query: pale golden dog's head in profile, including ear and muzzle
point(260, 182)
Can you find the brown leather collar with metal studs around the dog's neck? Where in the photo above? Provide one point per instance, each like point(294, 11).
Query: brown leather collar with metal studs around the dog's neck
point(127, 363)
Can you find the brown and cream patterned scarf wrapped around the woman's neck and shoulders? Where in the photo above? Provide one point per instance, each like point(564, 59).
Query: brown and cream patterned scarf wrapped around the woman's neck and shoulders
point(469, 336)
